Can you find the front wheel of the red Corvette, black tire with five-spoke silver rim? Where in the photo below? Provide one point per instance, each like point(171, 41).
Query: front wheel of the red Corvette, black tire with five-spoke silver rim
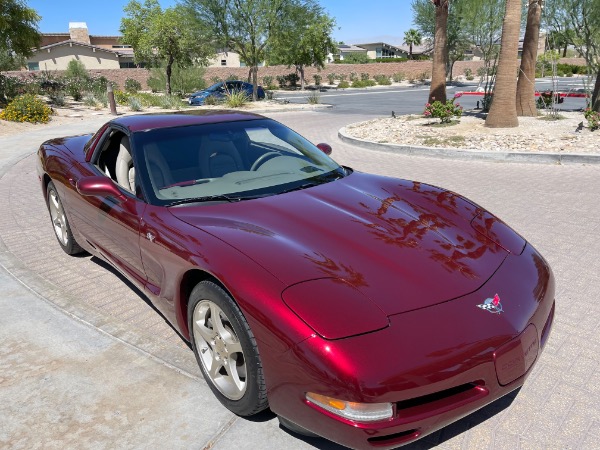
point(226, 350)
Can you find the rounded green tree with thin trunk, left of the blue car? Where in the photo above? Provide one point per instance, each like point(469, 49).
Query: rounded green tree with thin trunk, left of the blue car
point(164, 37)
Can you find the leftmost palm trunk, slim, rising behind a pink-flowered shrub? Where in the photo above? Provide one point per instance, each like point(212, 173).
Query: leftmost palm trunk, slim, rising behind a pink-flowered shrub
point(437, 91)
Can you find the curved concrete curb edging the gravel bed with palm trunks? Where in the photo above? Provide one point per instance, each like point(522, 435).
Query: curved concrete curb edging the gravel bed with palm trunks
point(472, 155)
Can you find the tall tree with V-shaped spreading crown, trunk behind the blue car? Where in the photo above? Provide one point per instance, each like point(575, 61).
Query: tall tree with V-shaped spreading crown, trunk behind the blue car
point(246, 27)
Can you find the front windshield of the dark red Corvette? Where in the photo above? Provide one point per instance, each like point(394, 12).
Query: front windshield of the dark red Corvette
point(228, 161)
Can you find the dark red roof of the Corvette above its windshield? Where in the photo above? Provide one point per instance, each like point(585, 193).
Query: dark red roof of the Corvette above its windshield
point(143, 122)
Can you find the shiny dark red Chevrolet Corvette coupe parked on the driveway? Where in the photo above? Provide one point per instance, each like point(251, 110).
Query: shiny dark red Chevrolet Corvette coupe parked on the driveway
point(367, 310)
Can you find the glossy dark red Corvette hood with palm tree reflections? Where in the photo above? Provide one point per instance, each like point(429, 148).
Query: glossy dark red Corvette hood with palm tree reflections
point(405, 245)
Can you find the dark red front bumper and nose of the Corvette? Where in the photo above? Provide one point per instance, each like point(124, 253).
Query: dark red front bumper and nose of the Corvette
point(435, 365)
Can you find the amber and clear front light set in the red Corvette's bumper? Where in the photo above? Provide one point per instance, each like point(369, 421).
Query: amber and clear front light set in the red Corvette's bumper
point(357, 412)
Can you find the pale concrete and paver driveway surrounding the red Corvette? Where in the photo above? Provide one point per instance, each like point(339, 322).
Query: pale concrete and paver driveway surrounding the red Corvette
point(86, 363)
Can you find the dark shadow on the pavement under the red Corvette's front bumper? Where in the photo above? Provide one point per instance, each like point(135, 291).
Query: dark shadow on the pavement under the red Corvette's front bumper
point(431, 441)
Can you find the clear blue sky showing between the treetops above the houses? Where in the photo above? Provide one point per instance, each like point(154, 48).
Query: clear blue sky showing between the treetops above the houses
point(359, 21)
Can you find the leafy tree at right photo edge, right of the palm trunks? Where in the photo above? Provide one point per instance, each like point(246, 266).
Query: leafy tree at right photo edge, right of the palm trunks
point(579, 21)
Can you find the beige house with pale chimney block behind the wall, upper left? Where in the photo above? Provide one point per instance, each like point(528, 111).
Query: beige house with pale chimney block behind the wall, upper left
point(95, 52)
